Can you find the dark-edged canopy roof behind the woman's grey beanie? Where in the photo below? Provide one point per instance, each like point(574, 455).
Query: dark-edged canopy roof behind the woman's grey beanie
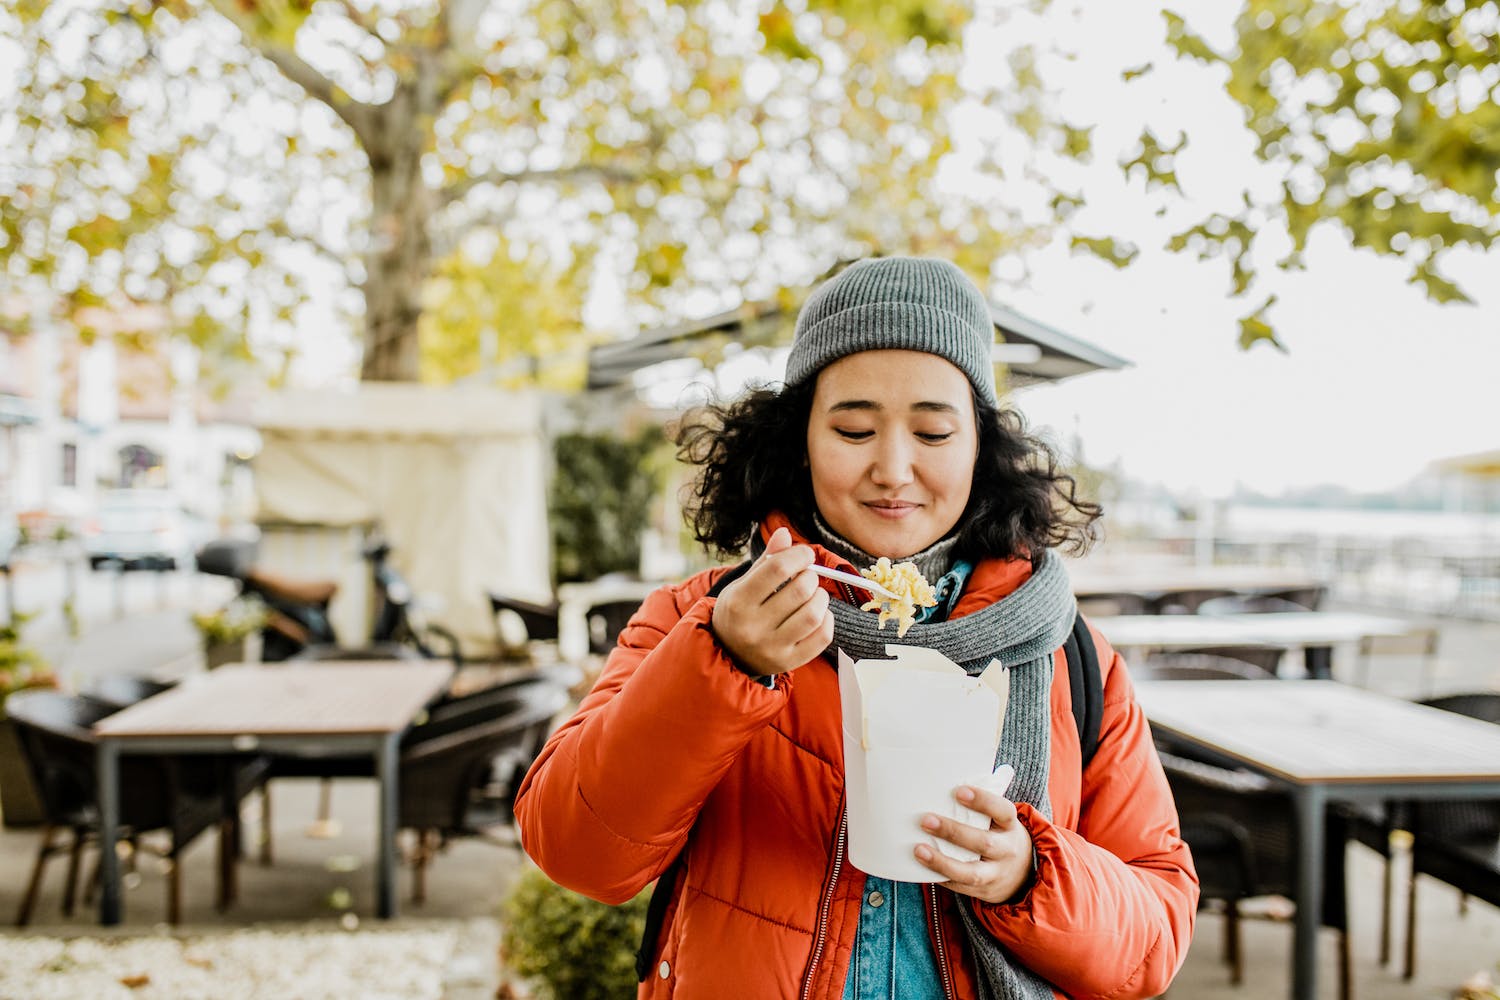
point(1033, 352)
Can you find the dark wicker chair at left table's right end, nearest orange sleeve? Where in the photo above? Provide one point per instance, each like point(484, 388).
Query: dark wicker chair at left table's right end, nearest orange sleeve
point(463, 768)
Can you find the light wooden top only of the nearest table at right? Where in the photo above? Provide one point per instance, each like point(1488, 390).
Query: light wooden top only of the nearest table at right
point(1325, 732)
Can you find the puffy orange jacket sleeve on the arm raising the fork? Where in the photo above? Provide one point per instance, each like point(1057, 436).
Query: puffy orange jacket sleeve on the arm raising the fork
point(614, 794)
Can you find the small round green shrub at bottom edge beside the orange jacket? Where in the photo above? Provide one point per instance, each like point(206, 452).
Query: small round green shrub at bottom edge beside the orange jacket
point(578, 950)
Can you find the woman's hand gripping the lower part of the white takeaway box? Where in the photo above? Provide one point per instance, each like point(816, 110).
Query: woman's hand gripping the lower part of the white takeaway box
point(1006, 851)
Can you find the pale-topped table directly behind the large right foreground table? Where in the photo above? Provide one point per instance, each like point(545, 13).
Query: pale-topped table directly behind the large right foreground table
point(1316, 633)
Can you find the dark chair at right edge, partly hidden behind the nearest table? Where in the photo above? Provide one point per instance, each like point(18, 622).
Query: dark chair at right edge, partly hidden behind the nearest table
point(1453, 840)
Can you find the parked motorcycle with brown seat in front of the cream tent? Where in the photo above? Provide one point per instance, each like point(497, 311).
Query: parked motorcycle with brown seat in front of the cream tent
point(298, 621)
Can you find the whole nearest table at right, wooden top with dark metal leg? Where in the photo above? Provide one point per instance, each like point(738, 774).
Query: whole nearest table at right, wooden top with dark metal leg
point(1325, 743)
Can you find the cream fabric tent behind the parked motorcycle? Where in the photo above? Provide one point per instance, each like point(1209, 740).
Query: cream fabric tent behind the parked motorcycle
point(455, 479)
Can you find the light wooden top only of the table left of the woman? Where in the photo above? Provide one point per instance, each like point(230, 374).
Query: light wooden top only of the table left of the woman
point(308, 699)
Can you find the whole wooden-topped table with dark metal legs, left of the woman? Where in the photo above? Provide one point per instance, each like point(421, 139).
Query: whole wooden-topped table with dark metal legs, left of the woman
point(347, 708)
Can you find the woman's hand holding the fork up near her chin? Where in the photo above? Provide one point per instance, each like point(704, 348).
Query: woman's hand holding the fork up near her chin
point(776, 617)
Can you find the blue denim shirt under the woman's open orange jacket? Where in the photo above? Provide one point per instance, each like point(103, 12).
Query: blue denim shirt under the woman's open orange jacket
point(893, 956)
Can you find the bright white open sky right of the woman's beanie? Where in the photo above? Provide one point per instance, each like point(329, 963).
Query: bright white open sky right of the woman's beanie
point(1378, 382)
